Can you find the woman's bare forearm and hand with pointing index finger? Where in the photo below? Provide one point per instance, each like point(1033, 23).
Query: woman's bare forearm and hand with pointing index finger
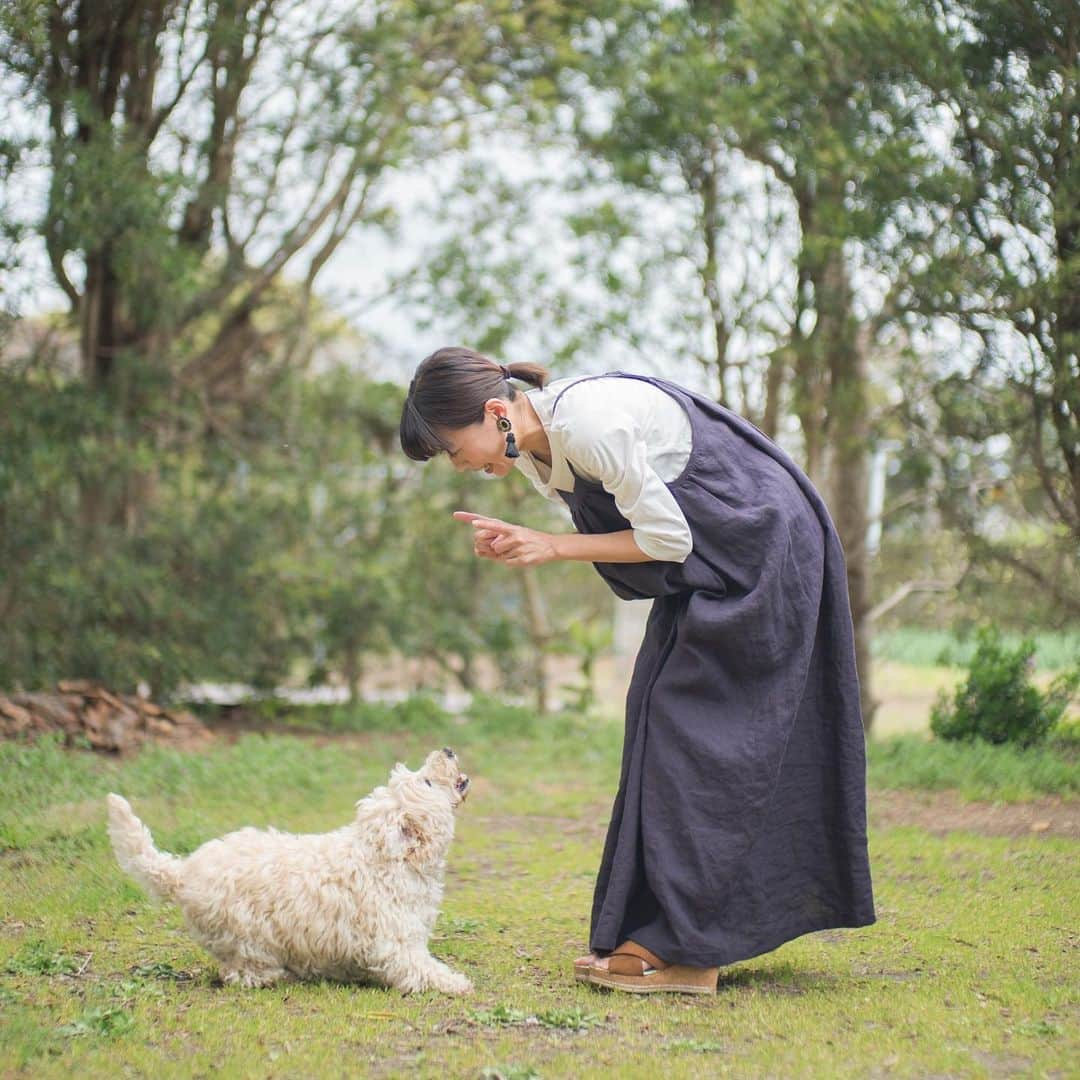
point(518, 546)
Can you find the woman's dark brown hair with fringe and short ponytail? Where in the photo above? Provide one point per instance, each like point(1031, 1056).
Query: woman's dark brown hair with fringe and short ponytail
point(449, 393)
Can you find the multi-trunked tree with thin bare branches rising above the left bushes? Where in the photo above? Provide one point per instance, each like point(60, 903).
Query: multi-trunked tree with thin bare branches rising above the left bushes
point(198, 150)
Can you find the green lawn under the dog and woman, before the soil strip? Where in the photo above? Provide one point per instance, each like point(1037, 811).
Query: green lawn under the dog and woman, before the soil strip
point(969, 973)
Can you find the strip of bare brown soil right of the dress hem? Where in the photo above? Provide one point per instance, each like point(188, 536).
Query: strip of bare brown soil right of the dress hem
point(941, 813)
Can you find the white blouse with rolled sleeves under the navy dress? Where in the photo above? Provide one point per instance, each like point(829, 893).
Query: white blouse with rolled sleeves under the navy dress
point(628, 436)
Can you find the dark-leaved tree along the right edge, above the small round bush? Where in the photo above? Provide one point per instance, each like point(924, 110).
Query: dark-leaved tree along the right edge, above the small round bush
point(1002, 264)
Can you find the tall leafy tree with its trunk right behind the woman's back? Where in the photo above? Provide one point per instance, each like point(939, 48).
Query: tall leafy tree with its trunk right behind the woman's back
point(811, 102)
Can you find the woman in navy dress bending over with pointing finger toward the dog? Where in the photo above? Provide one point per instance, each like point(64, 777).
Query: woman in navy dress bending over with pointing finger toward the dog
point(740, 820)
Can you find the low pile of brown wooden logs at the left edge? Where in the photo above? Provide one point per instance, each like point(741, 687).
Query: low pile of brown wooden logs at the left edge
point(83, 710)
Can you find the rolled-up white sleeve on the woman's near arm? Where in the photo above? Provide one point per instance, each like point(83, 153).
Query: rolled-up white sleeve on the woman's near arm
point(613, 453)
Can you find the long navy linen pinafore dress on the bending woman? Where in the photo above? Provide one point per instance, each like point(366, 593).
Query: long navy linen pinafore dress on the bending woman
point(740, 820)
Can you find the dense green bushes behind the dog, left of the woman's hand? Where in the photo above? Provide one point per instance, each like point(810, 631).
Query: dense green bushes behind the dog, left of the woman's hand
point(306, 551)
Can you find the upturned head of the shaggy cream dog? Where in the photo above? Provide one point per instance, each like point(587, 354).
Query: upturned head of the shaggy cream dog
point(412, 818)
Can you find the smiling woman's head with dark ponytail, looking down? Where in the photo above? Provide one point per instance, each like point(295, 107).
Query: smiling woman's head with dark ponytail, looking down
point(454, 404)
